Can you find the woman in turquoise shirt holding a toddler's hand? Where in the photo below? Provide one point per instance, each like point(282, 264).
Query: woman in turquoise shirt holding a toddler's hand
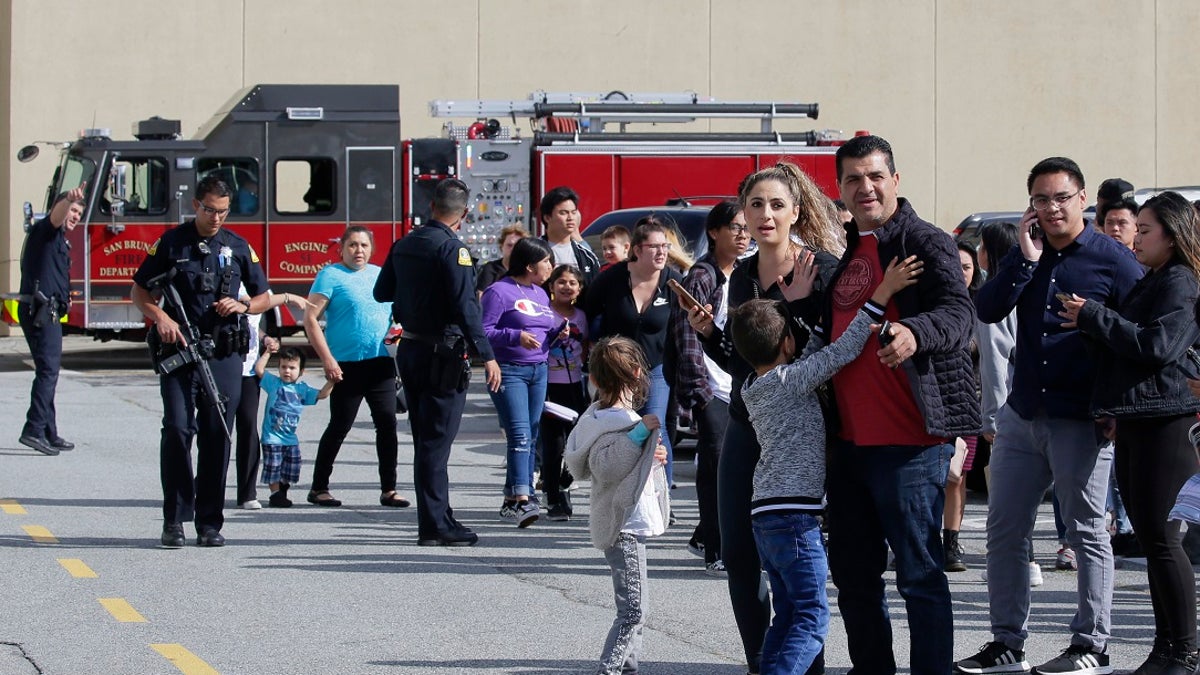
point(353, 355)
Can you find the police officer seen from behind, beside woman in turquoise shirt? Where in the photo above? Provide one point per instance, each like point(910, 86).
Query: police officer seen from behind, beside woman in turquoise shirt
point(430, 279)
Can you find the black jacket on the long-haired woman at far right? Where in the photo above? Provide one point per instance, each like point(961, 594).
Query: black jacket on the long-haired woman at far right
point(1141, 348)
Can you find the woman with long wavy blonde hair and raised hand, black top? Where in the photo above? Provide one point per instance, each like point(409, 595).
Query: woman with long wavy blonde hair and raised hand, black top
point(795, 226)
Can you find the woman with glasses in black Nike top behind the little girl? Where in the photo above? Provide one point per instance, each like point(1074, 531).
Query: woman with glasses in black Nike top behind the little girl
point(632, 300)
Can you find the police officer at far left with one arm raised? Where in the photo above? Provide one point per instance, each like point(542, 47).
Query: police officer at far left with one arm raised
point(45, 296)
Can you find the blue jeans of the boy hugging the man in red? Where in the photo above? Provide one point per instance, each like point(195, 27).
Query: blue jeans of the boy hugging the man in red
point(795, 560)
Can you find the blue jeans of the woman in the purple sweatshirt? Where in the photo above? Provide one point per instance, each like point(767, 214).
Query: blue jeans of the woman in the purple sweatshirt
point(519, 404)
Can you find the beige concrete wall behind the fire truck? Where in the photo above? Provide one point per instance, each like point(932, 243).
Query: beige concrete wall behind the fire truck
point(971, 93)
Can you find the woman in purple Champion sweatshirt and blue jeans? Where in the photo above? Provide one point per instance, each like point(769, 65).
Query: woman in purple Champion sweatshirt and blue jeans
point(520, 324)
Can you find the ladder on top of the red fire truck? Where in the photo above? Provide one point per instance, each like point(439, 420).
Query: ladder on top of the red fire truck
point(581, 118)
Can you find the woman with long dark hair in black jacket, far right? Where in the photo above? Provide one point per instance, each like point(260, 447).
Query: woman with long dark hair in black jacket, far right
point(1144, 386)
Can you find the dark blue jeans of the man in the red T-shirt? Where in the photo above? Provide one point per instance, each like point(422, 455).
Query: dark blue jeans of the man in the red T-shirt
point(880, 497)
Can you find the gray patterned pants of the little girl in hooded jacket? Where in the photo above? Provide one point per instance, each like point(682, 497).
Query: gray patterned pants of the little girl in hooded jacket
point(627, 559)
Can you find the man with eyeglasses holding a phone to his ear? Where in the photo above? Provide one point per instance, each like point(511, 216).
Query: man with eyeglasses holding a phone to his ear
point(1045, 434)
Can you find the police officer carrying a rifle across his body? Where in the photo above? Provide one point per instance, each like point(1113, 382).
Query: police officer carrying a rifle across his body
point(206, 265)
